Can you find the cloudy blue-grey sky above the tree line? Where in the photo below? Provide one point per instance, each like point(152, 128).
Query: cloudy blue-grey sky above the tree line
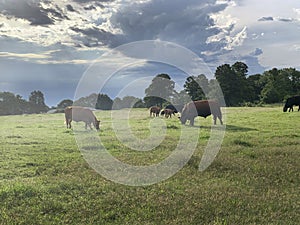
point(54, 46)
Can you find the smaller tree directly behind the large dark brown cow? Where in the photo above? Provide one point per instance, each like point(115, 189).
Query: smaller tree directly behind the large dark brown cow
point(197, 87)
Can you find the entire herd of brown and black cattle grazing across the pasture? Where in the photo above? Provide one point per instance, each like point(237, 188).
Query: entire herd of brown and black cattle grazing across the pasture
point(189, 112)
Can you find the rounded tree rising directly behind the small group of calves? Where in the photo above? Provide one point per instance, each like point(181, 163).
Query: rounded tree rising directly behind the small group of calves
point(159, 91)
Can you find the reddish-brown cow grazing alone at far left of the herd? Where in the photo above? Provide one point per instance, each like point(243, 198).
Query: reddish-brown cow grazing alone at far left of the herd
point(78, 113)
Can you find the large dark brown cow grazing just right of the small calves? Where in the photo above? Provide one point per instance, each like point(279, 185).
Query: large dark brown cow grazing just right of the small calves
point(201, 108)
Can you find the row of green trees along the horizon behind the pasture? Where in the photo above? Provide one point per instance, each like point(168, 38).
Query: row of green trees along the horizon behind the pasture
point(238, 89)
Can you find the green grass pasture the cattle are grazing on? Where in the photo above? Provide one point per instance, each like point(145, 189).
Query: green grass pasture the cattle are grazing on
point(254, 179)
